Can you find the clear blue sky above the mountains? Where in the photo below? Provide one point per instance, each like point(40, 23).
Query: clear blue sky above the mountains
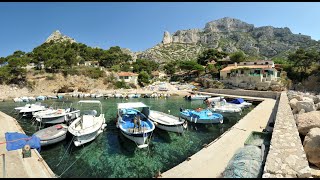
point(138, 25)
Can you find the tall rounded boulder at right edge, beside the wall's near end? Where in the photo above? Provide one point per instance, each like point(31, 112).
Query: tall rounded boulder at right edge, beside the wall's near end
point(311, 146)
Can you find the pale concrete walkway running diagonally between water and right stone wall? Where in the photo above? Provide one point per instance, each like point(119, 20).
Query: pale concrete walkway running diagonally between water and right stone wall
point(211, 161)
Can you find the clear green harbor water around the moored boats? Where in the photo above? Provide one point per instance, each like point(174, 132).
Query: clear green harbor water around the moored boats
point(113, 155)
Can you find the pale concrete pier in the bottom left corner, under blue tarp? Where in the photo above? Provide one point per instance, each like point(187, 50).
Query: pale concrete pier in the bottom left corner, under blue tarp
point(15, 165)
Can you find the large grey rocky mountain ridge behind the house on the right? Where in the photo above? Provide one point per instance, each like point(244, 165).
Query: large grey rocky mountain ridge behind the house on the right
point(230, 35)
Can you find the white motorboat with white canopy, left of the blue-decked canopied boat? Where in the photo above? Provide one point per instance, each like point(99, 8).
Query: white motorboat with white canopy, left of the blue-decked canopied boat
point(87, 127)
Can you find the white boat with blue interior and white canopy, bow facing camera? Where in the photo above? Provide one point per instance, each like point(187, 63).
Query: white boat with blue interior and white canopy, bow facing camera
point(127, 118)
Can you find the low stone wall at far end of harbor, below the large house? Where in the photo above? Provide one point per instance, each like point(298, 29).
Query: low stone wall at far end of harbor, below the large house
point(241, 92)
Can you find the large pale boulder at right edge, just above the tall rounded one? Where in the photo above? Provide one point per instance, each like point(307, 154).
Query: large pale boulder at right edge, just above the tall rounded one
point(307, 121)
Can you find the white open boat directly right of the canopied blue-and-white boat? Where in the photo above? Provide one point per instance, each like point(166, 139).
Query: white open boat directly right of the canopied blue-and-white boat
point(167, 122)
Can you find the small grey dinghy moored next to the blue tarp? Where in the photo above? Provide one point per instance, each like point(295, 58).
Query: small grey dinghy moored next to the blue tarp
point(52, 134)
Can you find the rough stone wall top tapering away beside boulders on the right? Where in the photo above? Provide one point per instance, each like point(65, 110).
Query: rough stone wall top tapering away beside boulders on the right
point(286, 157)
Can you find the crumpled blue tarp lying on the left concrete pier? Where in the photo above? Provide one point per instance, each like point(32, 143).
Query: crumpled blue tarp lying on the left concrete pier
point(18, 141)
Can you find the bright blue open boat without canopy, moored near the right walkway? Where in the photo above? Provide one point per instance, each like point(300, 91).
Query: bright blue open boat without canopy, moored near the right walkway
point(201, 116)
